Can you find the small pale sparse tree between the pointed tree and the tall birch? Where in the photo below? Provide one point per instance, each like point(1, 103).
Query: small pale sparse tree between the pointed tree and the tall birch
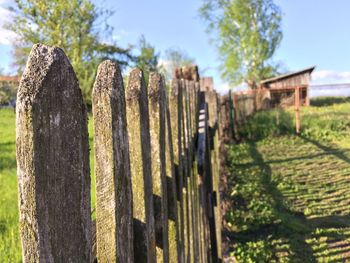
point(174, 58)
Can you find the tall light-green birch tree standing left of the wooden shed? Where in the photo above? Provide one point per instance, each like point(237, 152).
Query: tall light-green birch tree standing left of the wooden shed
point(247, 33)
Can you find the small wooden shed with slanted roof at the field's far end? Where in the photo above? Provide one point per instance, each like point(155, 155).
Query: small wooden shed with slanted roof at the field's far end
point(282, 87)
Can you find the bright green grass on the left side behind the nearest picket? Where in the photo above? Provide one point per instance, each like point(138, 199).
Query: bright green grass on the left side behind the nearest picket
point(10, 244)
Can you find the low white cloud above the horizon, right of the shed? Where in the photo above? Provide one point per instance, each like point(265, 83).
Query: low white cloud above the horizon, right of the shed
point(330, 76)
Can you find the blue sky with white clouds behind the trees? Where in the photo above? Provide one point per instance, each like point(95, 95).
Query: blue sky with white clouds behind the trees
point(315, 32)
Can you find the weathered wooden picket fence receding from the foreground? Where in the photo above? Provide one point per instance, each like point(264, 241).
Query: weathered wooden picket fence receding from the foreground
point(156, 166)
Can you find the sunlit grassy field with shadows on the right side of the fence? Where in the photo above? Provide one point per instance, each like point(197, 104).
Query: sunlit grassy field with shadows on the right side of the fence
point(289, 195)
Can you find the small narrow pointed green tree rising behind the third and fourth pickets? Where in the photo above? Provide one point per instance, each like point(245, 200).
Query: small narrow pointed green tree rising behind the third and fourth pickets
point(148, 58)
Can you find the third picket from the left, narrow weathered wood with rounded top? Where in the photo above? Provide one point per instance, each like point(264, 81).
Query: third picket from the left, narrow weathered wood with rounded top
point(141, 171)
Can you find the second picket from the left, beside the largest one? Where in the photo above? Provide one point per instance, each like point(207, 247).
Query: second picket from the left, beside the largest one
point(114, 219)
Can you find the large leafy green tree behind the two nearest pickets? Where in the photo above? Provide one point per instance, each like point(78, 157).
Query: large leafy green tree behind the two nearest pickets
point(76, 26)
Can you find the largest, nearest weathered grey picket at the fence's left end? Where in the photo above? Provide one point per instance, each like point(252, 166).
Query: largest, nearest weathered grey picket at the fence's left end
point(53, 161)
